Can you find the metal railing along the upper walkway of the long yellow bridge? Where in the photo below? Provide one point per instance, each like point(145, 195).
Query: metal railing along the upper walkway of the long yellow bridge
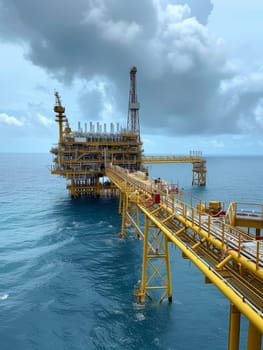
point(224, 236)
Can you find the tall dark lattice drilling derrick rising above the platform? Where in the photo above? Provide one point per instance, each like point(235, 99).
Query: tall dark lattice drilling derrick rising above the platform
point(134, 106)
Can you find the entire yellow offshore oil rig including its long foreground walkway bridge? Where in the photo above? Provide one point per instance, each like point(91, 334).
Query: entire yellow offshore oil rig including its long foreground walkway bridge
point(225, 245)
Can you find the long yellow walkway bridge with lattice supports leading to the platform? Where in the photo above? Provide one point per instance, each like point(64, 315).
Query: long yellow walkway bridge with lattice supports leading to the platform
point(228, 256)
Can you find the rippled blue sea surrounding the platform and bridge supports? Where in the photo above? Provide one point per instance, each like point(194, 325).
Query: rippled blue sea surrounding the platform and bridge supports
point(67, 279)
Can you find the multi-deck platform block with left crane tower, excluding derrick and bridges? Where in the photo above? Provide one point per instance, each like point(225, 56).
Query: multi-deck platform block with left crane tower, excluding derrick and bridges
point(81, 156)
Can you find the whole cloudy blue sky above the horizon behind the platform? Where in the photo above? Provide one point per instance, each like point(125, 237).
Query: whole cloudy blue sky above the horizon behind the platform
point(199, 71)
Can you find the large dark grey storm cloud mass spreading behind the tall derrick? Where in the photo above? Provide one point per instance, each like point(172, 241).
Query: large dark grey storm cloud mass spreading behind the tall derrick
point(181, 66)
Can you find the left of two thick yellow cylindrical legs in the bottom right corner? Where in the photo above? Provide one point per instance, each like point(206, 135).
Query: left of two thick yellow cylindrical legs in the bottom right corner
point(234, 328)
